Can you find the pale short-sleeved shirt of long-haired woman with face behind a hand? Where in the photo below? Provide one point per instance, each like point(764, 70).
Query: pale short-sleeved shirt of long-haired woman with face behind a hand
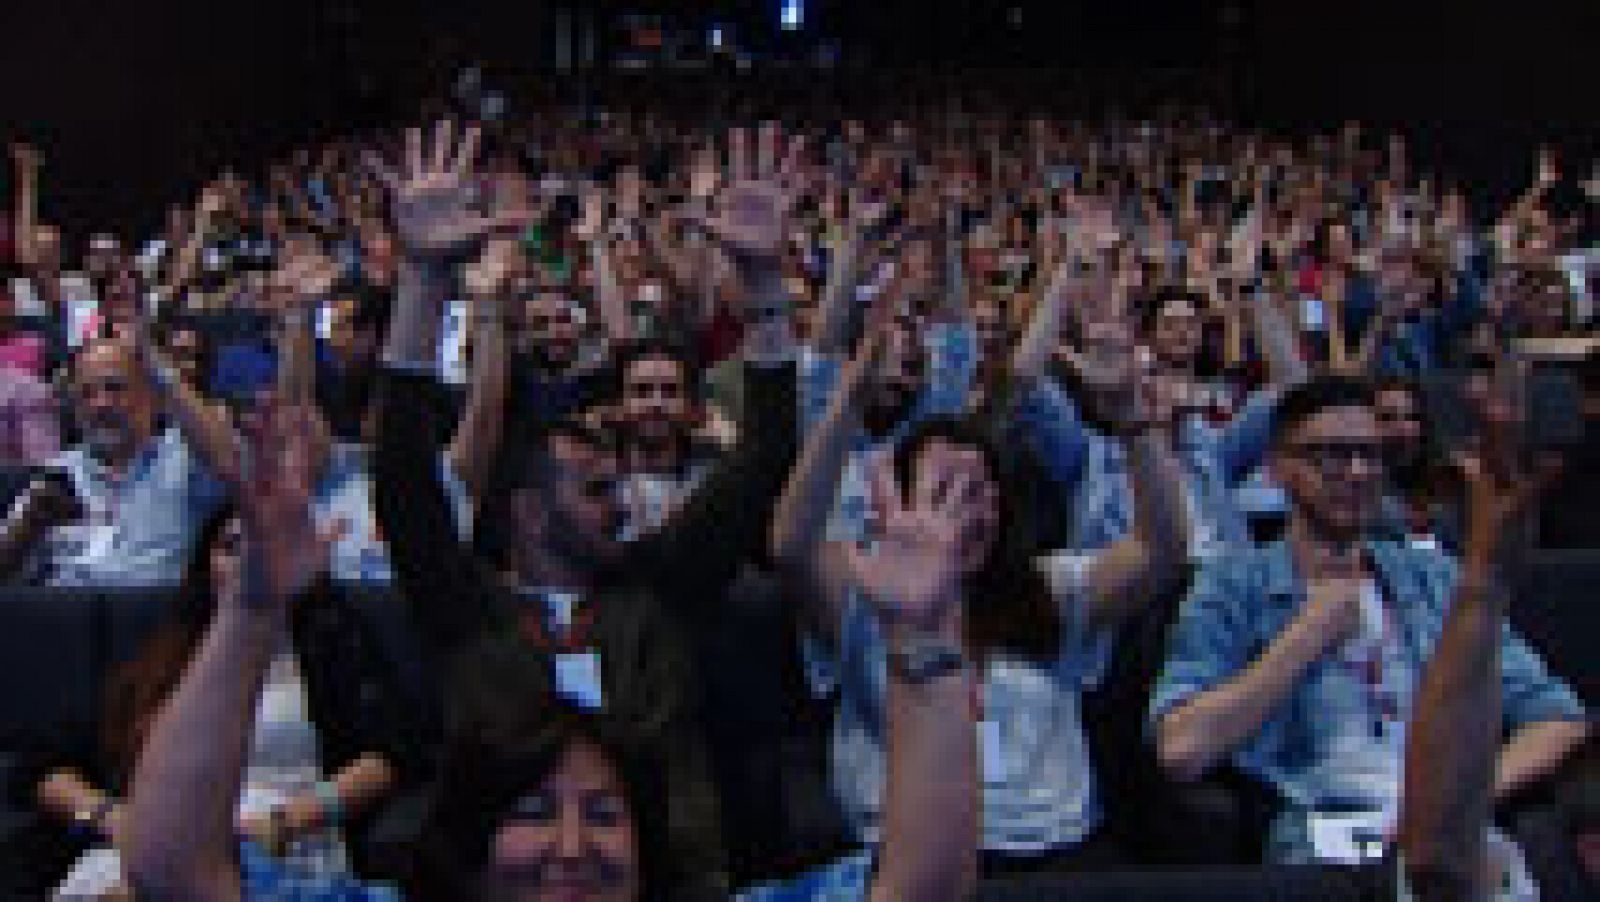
point(1041, 792)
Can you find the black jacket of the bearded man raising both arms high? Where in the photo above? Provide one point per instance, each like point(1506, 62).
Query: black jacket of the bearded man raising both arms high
point(668, 581)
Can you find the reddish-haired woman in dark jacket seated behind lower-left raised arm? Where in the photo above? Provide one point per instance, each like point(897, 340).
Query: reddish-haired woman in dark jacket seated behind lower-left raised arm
point(324, 712)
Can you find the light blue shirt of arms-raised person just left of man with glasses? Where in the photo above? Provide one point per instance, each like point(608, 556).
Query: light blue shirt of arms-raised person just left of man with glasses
point(1094, 468)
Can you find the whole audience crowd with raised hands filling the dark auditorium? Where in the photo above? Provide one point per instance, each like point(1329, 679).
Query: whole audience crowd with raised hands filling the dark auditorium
point(676, 436)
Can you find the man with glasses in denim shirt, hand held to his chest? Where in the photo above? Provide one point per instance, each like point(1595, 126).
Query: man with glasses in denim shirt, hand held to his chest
point(1300, 661)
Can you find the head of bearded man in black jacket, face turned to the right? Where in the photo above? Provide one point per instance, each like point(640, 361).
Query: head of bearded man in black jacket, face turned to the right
point(562, 500)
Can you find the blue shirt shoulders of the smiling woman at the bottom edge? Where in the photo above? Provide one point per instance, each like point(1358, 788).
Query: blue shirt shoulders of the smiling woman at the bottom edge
point(266, 879)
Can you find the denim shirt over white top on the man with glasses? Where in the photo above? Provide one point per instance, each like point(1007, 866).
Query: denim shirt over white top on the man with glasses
point(1318, 749)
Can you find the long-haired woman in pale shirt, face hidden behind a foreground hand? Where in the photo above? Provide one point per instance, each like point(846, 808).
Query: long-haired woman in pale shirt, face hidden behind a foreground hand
point(1036, 629)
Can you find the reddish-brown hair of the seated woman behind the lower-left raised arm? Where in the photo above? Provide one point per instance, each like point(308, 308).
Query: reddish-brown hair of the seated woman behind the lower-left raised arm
point(138, 688)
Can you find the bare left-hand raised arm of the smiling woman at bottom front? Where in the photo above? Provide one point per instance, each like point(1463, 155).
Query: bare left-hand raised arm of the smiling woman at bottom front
point(180, 820)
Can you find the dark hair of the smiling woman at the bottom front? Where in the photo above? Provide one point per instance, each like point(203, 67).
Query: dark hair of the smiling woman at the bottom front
point(506, 735)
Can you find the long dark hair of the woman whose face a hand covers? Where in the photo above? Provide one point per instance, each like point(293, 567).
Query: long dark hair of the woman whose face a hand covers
point(1009, 604)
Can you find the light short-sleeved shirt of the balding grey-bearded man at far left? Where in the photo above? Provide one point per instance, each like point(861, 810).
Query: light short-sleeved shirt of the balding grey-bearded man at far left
point(138, 530)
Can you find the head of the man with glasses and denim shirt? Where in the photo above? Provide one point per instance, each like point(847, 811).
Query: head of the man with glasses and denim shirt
point(1327, 453)
